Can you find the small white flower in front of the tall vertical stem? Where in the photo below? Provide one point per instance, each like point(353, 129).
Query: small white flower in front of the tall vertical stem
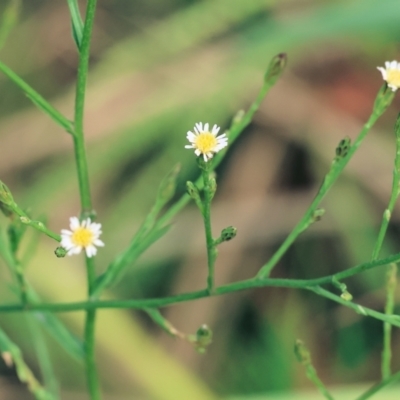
point(83, 235)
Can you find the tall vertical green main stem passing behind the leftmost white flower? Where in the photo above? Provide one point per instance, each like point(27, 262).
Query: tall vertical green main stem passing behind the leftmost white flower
point(84, 190)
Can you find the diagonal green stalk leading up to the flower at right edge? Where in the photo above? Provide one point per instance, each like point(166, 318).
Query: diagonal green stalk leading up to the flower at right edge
point(330, 178)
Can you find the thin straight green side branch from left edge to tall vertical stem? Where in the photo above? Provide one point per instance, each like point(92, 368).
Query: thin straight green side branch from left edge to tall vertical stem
point(37, 99)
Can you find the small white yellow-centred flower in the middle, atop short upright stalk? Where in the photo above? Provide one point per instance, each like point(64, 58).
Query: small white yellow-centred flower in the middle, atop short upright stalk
point(206, 142)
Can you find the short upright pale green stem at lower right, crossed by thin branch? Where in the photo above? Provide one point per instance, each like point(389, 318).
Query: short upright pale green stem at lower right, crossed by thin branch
point(387, 328)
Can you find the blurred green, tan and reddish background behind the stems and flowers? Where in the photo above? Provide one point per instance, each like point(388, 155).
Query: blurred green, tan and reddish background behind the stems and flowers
point(158, 67)
